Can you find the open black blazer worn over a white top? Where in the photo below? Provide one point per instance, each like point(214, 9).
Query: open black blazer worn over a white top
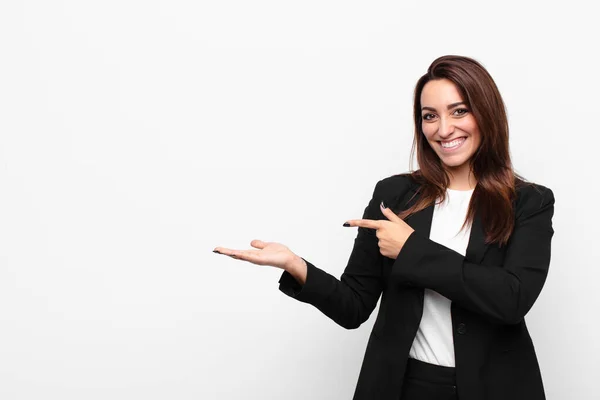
point(491, 289)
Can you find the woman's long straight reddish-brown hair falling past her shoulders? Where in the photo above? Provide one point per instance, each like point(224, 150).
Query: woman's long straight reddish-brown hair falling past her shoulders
point(491, 164)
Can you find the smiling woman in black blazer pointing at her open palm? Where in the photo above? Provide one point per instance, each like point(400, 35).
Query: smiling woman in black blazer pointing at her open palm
point(458, 250)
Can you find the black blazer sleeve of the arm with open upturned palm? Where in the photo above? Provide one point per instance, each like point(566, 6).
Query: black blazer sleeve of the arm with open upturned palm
point(350, 300)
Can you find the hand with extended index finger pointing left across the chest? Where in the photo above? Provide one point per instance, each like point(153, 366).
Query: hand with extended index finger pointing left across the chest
point(392, 234)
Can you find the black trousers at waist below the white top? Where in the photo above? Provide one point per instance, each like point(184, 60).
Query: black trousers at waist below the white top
point(424, 381)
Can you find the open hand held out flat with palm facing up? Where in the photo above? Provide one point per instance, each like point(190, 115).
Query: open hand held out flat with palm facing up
point(269, 253)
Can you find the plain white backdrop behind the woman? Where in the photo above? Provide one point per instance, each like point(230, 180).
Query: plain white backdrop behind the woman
point(137, 136)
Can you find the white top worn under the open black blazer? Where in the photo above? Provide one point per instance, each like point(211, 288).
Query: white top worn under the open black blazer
point(434, 340)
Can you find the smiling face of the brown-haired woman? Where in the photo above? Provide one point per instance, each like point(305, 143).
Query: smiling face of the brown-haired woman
point(448, 125)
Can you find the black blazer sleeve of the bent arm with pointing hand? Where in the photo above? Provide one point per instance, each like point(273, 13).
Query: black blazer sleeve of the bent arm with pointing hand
point(502, 293)
